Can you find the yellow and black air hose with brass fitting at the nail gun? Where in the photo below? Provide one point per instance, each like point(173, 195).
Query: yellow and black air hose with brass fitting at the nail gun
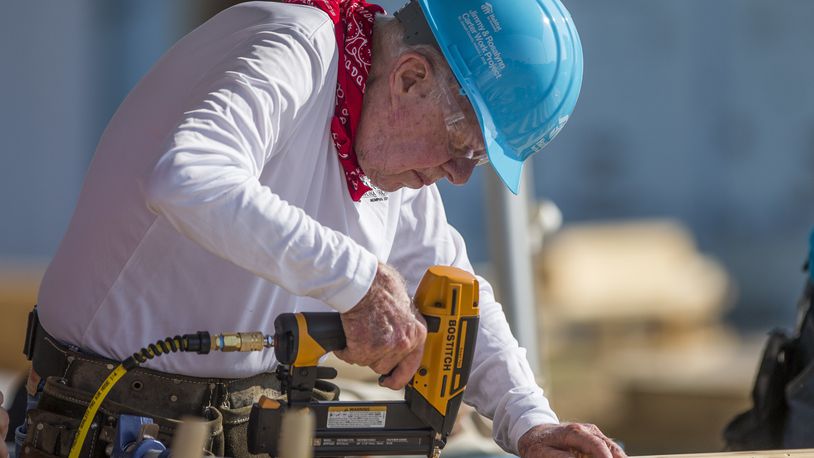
point(200, 343)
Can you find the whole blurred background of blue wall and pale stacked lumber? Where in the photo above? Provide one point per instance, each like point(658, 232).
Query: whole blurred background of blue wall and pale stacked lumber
point(671, 216)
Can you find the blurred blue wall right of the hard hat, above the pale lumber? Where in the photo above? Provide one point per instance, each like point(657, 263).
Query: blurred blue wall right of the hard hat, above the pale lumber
point(701, 111)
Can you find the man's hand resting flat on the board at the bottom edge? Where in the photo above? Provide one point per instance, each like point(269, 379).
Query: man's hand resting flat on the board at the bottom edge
point(567, 440)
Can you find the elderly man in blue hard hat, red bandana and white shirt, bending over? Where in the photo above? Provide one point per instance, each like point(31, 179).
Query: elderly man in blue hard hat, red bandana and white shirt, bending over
point(246, 176)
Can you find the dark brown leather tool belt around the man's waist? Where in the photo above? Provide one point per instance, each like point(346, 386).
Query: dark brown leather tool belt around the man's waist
point(73, 376)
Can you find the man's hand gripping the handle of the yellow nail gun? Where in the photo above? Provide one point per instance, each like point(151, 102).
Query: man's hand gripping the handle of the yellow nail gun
point(385, 331)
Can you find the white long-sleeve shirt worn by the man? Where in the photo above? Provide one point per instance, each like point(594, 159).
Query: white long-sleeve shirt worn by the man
point(216, 201)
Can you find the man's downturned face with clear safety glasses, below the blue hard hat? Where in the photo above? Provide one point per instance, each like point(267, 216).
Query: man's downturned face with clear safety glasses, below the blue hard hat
point(418, 132)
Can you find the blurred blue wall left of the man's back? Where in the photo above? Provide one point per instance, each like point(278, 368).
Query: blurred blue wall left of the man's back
point(66, 67)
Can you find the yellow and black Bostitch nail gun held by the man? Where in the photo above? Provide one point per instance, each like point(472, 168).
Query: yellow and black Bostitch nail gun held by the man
point(419, 425)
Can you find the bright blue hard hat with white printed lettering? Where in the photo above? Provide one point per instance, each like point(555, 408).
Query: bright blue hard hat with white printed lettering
point(520, 64)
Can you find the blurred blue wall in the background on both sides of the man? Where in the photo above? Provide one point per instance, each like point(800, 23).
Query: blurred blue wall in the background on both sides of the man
point(696, 110)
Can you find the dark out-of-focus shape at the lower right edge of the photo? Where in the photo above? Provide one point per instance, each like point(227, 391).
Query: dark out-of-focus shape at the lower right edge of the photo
point(782, 416)
